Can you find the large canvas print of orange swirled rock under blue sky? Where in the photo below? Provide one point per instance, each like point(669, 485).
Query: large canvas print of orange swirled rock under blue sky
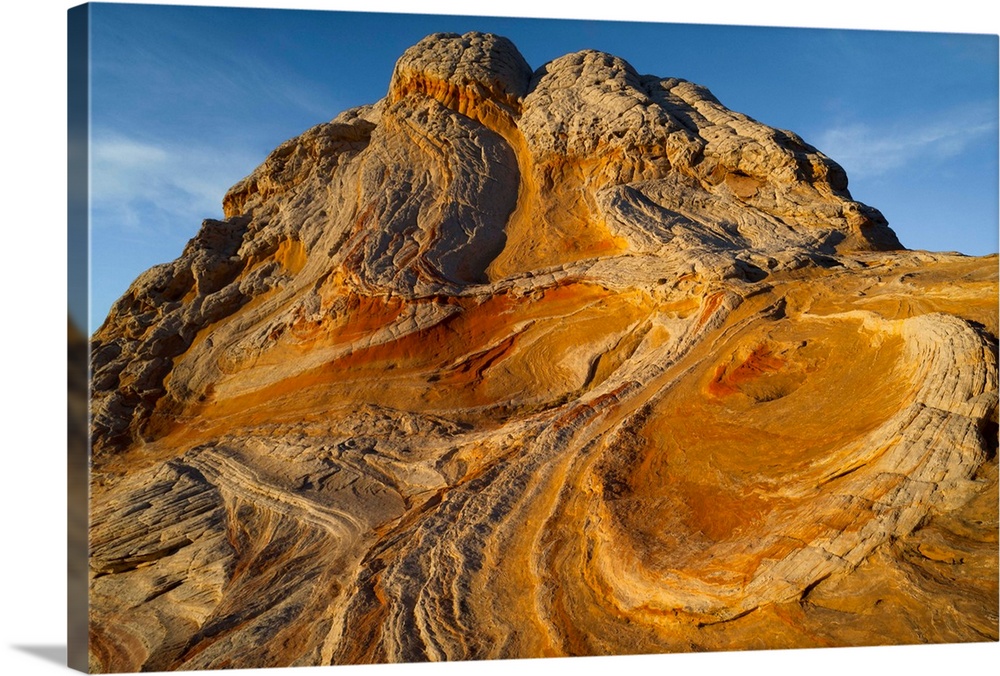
point(424, 338)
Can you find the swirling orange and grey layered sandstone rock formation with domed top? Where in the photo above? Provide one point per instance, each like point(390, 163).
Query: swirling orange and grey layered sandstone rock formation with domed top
point(520, 363)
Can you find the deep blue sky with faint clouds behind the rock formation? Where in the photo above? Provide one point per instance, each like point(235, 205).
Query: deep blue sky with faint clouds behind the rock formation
point(188, 100)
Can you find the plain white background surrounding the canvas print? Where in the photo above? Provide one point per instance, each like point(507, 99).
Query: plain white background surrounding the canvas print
point(33, 349)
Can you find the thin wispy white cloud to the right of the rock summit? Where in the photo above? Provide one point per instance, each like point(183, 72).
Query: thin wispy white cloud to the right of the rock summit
point(872, 150)
